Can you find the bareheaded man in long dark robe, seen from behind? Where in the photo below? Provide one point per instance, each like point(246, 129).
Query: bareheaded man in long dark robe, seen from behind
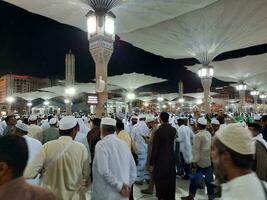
point(163, 159)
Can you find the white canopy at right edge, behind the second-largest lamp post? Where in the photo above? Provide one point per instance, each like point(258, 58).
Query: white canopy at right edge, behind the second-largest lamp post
point(250, 69)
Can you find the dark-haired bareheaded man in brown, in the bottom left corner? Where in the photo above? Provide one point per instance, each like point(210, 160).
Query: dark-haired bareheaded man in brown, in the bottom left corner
point(13, 160)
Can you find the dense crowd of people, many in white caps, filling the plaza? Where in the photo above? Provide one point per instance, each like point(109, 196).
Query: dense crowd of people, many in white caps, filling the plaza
point(68, 158)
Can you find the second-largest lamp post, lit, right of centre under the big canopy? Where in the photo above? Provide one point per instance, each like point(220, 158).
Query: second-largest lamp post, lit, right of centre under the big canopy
point(206, 73)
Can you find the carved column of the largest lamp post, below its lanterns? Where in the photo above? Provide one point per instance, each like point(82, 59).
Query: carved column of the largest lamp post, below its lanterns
point(101, 50)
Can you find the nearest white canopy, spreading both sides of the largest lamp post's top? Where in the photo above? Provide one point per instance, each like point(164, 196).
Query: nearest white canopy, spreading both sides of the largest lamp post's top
point(131, 14)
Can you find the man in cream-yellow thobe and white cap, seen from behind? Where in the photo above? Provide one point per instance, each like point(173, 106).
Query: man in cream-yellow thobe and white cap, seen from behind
point(64, 164)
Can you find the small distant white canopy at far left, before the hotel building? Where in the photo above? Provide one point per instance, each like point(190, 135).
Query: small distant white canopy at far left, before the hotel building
point(30, 96)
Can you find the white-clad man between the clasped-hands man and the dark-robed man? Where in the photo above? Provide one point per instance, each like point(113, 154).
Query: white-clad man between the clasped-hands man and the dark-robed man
point(139, 132)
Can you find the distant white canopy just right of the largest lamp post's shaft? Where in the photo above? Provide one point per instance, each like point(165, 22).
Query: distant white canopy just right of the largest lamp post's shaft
point(132, 81)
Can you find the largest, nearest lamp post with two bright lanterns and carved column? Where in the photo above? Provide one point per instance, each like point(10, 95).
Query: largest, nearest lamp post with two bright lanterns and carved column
point(101, 36)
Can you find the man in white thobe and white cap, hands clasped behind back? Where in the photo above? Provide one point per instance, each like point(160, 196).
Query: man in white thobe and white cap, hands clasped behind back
point(114, 169)
